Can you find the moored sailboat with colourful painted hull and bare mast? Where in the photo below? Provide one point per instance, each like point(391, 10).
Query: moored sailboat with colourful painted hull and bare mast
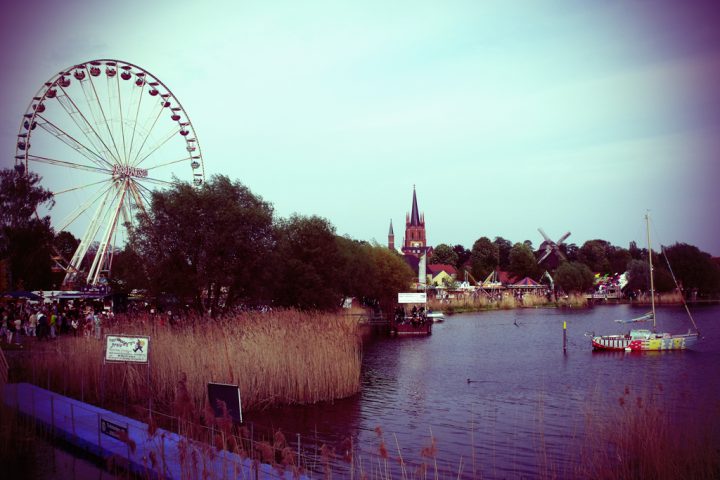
point(640, 340)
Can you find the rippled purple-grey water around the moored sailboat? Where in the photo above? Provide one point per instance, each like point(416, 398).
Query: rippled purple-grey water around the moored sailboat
point(501, 399)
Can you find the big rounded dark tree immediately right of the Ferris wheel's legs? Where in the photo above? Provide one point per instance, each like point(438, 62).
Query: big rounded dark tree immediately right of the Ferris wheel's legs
point(210, 244)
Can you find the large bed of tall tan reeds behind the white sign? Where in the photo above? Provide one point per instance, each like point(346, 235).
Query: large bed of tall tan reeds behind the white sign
point(284, 357)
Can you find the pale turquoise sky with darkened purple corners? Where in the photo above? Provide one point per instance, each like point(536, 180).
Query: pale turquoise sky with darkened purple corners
point(505, 116)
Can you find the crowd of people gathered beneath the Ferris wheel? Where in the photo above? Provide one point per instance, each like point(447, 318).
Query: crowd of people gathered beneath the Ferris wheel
point(21, 321)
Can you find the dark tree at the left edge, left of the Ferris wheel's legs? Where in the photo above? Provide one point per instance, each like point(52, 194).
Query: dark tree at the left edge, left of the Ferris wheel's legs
point(25, 239)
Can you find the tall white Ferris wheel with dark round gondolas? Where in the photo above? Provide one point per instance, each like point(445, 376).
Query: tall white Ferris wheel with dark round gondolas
point(103, 135)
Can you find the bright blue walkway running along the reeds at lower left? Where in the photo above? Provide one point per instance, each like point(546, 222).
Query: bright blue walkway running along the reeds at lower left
point(96, 430)
